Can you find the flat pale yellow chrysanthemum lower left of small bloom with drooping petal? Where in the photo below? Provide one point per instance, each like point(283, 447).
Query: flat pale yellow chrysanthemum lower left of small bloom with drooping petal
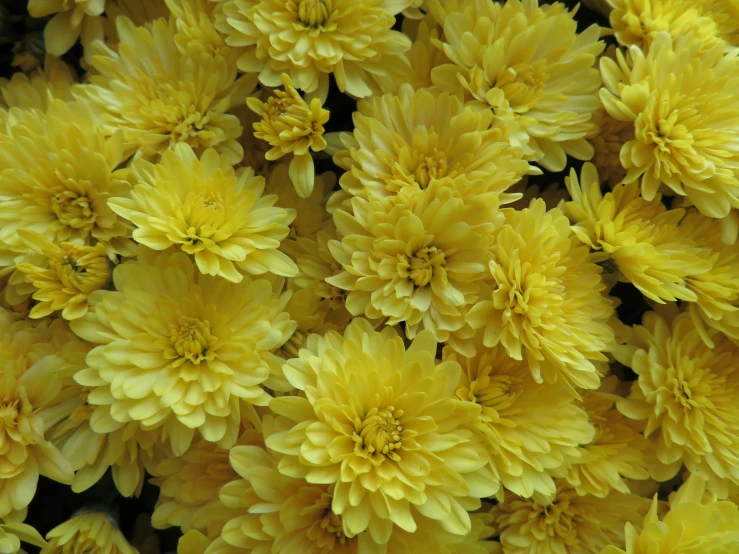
point(219, 216)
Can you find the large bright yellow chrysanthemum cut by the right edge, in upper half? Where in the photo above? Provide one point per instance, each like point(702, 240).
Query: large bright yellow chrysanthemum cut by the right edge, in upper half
point(678, 121)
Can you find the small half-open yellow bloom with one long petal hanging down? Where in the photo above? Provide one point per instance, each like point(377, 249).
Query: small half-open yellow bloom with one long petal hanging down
point(291, 126)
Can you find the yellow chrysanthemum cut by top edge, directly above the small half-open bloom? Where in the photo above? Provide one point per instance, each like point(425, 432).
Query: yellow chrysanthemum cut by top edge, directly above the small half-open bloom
point(309, 39)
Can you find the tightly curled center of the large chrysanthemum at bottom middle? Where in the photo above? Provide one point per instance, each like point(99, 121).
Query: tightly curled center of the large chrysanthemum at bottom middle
point(379, 434)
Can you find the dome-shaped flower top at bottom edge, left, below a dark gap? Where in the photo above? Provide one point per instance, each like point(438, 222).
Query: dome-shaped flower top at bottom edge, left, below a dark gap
point(92, 532)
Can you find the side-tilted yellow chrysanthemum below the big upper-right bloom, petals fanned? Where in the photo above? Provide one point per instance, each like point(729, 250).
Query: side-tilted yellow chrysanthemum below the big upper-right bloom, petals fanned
point(641, 237)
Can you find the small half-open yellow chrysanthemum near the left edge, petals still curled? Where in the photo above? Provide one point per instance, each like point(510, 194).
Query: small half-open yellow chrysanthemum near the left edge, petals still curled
point(73, 273)
